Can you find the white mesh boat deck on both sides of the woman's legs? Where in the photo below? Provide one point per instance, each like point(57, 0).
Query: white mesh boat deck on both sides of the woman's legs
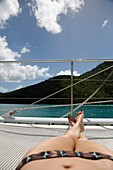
point(15, 140)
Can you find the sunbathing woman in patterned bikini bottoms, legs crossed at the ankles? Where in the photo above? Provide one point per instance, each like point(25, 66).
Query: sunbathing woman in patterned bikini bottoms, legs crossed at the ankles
point(71, 151)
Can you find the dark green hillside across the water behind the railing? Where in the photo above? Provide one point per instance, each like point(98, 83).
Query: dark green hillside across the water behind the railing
point(81, 91)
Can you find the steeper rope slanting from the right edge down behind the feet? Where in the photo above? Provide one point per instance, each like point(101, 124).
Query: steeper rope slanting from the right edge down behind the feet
point(89, 96)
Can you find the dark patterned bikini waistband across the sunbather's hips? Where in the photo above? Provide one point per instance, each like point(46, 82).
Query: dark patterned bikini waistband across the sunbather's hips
point(56, 154)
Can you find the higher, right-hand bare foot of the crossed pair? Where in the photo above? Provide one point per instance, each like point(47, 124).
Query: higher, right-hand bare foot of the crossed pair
point(79, 119)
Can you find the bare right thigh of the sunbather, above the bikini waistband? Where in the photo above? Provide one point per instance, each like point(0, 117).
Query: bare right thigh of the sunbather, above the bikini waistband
point(92, 146)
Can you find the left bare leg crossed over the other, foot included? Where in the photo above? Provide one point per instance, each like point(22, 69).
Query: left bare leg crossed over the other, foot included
point(65, 142)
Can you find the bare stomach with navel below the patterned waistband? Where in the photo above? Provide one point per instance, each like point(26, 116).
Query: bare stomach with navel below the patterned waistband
point(69, 164)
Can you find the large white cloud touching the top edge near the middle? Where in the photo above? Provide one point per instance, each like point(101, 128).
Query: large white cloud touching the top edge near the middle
point(48, 12)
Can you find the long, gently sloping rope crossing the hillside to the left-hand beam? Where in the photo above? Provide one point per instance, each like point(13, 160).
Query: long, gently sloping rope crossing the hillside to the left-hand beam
point(66, 88)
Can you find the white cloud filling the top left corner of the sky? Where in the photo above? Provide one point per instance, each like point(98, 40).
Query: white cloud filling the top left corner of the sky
point(8, 8)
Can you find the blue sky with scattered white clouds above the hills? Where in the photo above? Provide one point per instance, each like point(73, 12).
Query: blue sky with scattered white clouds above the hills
point(47, 29)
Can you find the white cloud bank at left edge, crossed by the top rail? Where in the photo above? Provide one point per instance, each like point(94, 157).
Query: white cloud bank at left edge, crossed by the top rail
point(16, 72)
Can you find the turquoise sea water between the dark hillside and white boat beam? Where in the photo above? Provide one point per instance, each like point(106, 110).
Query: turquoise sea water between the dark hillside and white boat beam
point(91, 111)
